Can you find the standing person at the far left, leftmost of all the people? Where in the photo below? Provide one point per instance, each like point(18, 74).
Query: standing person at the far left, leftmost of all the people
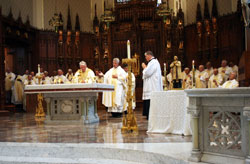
point(9, 82)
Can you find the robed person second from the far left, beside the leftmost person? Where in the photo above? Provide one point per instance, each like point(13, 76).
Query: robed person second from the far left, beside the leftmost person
point(17, 93)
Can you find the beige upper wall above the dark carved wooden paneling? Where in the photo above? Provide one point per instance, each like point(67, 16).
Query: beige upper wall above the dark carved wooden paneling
point(41, 11)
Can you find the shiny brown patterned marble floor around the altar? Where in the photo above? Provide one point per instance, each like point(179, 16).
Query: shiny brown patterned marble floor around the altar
point(23, 127)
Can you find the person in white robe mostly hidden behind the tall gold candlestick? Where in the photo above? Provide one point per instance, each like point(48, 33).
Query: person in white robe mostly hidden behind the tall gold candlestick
point(125, 67)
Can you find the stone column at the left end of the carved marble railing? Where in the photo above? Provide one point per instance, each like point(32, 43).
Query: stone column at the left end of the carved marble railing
point(194, 111)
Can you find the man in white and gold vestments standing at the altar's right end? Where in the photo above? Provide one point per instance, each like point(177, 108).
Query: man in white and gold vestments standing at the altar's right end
point(114, 101)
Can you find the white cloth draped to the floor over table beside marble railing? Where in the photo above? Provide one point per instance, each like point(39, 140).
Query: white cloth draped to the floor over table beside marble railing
point(168, 113)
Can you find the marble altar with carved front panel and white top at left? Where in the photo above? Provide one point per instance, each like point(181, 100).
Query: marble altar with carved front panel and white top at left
point(71, 101)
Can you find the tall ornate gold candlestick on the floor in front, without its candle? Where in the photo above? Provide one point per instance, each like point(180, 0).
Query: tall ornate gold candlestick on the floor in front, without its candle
point(129, 121)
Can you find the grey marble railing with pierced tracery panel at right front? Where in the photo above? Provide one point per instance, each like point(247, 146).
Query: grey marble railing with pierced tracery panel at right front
point(220, 124)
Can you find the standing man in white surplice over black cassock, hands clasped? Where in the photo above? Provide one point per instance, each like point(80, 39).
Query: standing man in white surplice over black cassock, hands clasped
point(152, 80)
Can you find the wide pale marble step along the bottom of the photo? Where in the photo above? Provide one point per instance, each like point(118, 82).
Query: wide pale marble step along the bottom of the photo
point(59, 153)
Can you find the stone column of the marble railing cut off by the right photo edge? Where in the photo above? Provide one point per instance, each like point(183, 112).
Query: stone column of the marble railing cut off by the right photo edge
point(246, 113)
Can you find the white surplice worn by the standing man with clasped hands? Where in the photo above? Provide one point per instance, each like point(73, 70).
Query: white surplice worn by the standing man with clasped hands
point(152, 80)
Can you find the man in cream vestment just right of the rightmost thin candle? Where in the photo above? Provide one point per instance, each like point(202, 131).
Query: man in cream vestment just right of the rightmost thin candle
point(201, 77)
